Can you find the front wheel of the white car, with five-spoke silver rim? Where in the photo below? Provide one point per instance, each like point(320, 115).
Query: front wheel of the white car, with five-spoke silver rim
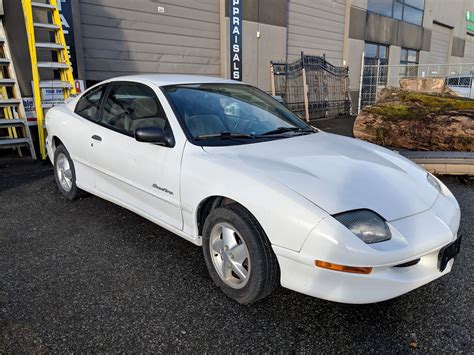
point(258, 264)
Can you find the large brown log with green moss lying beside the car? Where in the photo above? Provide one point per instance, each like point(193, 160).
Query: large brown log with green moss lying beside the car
point(418, 121)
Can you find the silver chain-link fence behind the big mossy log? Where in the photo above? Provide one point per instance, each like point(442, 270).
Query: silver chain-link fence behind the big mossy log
point(375, 77)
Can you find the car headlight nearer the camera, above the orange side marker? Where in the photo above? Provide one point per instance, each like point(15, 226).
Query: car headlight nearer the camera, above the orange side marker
point(367, 225)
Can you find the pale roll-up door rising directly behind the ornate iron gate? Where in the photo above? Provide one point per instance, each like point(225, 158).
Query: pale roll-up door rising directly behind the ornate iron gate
point(316, 27)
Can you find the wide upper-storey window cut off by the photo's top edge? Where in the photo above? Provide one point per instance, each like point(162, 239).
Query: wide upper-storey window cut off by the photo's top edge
point(404, 10)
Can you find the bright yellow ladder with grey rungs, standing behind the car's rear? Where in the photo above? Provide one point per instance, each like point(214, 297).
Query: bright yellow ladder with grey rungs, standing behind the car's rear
point(59, 64)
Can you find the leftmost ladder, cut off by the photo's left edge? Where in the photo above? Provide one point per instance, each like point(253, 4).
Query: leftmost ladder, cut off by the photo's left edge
point(14, 120)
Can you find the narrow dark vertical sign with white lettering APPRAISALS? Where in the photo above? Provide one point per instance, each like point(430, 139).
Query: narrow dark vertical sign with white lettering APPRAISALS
point(235, 39)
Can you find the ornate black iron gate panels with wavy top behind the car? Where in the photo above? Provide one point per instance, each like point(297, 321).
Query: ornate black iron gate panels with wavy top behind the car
point(312, 87)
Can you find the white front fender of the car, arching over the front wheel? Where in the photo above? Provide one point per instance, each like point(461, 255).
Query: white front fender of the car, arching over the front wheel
point(286, 217)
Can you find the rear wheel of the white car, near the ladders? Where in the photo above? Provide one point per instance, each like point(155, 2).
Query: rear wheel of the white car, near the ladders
point(65, 174)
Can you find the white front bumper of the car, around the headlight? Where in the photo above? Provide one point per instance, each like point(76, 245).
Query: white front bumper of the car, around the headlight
point(420, 236)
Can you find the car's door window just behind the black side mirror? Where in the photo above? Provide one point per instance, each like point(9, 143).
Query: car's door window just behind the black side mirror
point(130, 106)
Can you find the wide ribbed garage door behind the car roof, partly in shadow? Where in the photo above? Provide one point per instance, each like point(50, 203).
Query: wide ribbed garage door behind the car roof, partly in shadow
point(125, 37)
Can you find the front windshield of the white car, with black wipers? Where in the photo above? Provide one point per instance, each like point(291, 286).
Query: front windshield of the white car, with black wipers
point(217, 112)
